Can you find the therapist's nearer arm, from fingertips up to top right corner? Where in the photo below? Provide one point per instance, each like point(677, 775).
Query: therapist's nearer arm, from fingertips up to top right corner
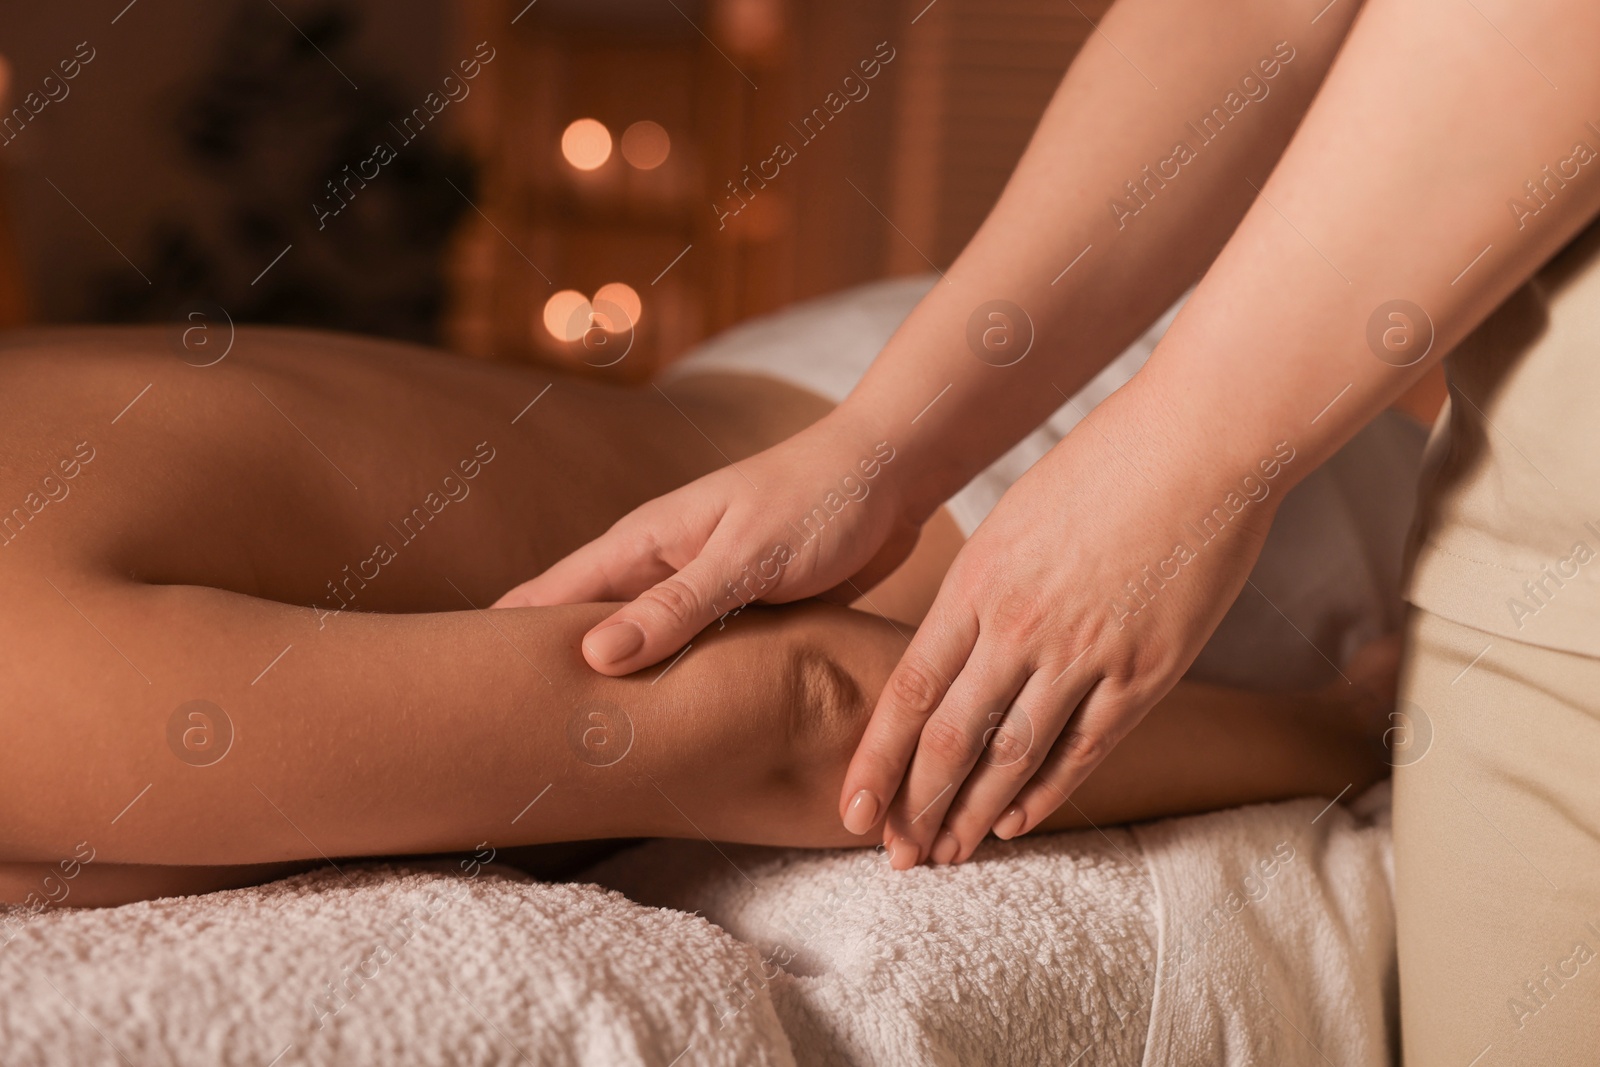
point(1454, 150)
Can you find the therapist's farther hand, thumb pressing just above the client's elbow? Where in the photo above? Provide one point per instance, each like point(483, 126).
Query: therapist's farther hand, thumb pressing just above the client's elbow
point(817, 516)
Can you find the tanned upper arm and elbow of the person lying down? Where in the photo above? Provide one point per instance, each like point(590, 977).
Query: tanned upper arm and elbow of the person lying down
point(401, 733)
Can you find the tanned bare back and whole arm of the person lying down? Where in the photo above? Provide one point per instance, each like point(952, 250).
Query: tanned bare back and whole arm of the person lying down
point(199, 541)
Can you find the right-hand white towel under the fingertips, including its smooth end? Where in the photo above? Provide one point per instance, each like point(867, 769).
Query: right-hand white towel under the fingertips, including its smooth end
point(1252, 937)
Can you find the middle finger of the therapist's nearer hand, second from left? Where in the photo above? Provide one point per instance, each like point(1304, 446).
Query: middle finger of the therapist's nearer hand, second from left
point(951, 745)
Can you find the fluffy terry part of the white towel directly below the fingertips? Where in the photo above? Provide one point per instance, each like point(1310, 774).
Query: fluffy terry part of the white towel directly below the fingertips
point(1033, 953)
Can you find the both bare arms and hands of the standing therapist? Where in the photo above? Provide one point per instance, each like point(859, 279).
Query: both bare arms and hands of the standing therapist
point(1351, 185)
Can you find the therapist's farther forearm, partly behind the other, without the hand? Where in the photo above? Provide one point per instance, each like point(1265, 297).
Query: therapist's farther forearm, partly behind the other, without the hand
point(1137, 175)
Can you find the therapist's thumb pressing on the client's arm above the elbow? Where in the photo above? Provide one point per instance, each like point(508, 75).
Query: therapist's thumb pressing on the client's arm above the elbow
point(660, 623)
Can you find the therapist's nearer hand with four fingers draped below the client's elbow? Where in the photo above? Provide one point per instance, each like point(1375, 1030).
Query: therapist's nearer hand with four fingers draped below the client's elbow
point(1033, 663)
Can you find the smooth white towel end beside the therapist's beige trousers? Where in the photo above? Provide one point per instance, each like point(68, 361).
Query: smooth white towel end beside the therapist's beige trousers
point(1262, 911)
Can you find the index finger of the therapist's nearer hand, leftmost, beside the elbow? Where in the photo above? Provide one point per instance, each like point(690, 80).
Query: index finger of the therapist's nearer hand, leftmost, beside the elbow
point(910, 697)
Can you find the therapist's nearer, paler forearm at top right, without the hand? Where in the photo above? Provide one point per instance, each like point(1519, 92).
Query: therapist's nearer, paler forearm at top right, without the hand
point(1401, 186)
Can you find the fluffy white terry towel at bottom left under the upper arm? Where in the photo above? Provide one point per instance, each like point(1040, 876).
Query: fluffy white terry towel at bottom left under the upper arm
point(383, 965)
